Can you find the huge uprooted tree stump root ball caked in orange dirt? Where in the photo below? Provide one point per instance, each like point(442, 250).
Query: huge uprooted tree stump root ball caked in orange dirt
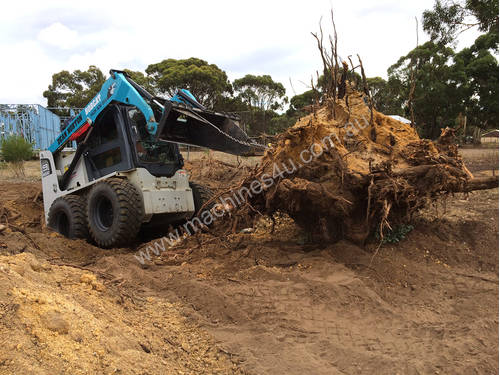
point(346, 172)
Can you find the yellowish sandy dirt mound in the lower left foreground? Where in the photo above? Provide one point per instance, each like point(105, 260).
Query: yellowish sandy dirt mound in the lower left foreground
point(64, 320)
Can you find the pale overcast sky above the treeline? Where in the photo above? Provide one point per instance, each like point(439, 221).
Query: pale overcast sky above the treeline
point(40, 38)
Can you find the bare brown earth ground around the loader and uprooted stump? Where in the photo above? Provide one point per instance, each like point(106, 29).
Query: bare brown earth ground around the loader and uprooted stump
point(257, 303)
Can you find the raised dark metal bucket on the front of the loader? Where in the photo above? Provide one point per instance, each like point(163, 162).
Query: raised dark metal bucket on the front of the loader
point(199, 127)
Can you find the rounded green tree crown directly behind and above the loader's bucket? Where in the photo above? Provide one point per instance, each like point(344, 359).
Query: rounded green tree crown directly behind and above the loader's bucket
point(207, 82)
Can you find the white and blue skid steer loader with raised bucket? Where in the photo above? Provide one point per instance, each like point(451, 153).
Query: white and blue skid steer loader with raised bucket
point(126, 171)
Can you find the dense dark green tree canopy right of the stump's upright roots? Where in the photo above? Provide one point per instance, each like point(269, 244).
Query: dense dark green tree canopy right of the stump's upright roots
point(447, 85)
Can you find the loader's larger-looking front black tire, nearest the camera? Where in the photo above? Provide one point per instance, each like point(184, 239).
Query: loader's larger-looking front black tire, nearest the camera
point(115, 211)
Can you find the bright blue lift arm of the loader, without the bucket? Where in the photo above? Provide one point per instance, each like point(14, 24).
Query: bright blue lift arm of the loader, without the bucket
point(117, 88)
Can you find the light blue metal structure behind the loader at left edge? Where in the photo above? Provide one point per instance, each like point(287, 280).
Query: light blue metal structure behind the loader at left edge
point(35, 123)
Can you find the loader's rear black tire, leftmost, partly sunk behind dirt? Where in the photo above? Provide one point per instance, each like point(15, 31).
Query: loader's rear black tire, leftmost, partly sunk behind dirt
point(68, 216)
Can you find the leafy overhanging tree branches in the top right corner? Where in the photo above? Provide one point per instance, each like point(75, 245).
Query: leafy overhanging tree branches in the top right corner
point(448, 18)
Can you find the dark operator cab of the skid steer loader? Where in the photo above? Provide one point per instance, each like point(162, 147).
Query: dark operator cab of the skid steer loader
point(120, 142)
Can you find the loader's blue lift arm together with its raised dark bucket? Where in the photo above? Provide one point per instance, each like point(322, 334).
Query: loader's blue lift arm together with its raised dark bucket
point(183, 120)
